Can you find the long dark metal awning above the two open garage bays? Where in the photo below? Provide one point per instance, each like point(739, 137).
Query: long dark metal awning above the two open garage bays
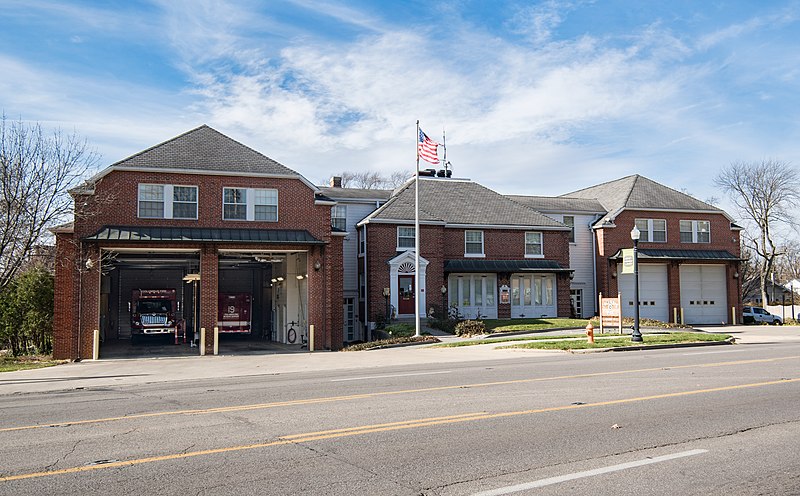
point(198, 234)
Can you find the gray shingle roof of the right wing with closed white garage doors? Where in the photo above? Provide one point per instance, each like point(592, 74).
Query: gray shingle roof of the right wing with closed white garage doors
point(638, 192)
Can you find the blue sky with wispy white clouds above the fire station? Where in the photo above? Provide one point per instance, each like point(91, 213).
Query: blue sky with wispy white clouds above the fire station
point(537, 98)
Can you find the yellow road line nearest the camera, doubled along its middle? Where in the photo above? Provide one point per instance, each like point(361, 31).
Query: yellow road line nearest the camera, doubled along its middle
point(386, 427)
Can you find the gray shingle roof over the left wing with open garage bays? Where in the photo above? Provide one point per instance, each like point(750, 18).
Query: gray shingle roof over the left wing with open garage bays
point(205, 149)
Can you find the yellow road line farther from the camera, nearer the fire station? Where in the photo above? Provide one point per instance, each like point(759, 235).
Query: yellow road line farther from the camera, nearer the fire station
point(329, 399)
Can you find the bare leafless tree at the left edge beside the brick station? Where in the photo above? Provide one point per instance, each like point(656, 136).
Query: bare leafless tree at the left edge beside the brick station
point(36, 172)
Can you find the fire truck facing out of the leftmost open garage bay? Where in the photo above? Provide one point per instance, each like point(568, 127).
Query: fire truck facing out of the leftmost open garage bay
point(153, 311)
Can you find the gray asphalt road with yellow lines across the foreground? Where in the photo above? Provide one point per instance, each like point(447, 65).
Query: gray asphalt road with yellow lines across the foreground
point(717, 420)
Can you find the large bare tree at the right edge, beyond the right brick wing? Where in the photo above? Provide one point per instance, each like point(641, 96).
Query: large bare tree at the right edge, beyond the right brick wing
point(763, 193)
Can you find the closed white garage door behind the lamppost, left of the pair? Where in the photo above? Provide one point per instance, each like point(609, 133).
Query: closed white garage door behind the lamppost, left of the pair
point(653, 295)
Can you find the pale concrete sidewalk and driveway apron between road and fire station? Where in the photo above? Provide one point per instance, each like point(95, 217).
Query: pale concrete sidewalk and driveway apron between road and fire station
point(123, 372)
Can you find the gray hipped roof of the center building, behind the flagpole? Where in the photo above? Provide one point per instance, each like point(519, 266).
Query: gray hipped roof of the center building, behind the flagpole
point(457, 201)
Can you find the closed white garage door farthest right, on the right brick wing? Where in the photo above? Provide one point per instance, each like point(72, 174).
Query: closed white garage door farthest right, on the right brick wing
point(704, 294)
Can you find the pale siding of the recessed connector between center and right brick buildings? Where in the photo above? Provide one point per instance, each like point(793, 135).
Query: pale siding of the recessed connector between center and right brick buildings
point(581, 259)
